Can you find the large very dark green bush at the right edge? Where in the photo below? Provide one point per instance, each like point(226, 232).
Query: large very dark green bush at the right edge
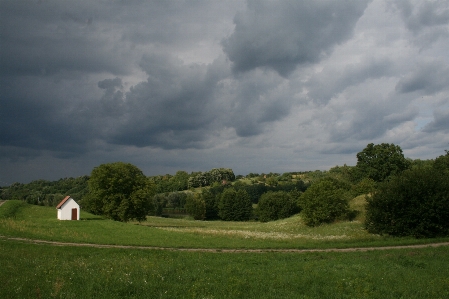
point(414, 203)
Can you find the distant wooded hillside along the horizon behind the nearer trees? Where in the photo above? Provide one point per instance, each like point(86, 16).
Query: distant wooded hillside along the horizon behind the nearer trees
point(50, 193)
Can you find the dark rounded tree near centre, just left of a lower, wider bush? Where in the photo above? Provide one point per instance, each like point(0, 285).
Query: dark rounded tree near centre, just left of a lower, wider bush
point(235, 205)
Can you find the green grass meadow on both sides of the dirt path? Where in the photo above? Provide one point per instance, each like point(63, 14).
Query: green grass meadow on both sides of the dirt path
point(29, 270)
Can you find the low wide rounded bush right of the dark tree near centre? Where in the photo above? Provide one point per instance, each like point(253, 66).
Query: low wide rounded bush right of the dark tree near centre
point(276, 205)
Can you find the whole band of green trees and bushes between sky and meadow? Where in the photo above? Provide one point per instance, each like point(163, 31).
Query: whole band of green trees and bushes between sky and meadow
point(398, 192)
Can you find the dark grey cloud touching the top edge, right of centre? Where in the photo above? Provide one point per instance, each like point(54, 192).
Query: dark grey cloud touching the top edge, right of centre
point(282, 35)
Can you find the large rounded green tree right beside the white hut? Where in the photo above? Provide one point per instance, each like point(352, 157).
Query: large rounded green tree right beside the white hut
point(119, 192)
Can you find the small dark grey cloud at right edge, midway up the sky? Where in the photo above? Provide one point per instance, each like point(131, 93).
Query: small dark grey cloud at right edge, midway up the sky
point(429, 77)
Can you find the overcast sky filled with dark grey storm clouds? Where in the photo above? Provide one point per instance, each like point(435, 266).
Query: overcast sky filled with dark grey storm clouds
point(256, 86)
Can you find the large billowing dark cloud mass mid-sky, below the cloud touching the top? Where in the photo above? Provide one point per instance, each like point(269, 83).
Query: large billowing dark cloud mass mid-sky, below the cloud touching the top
point(180, 106)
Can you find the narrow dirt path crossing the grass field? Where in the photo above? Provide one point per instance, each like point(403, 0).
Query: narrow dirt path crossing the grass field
point(361, 249)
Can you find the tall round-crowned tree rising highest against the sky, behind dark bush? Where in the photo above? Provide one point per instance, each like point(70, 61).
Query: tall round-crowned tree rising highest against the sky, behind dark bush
point(380, 161)
